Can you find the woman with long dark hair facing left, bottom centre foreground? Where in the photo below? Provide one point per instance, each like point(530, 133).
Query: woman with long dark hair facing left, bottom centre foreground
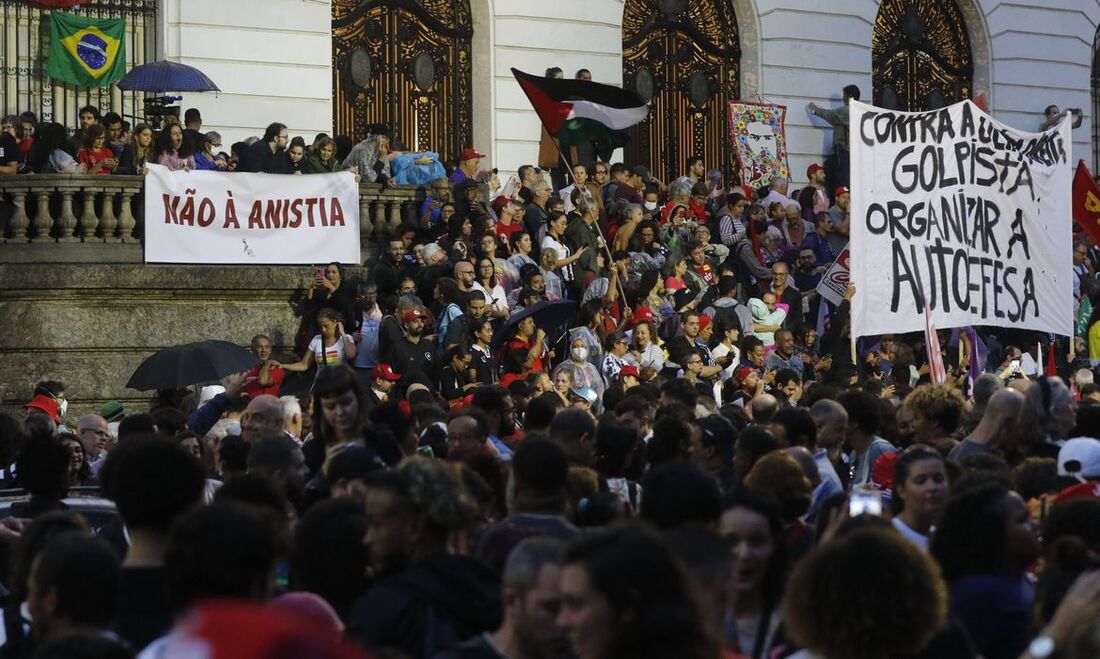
point(626, 597)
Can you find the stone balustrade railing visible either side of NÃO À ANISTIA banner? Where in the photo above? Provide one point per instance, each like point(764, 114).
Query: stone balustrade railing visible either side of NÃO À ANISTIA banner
point(84, 208)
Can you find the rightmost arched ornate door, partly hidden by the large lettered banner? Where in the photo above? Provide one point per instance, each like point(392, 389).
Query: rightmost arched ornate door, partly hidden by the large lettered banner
point(921, 56)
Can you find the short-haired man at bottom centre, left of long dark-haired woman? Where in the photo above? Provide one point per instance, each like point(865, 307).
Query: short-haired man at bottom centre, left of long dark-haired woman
point(532, 597)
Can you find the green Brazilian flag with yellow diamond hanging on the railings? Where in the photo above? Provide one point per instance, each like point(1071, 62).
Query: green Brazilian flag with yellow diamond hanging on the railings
point(86, 52)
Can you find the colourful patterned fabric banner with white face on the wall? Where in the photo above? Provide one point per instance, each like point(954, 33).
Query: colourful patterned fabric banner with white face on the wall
point(758, 135)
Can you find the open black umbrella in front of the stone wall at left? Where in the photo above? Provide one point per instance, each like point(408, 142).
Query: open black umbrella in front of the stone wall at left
point(194, 364)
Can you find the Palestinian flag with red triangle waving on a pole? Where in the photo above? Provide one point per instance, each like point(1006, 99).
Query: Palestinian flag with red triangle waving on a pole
point(578, 112)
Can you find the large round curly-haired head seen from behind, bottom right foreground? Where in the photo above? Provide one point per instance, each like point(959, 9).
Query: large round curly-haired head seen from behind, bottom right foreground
point(866, 595)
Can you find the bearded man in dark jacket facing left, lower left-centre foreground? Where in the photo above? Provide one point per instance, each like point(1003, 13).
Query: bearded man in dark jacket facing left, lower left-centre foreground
point(425, 598)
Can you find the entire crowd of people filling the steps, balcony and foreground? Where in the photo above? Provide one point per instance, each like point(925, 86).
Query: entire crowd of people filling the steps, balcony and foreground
point(703, 464)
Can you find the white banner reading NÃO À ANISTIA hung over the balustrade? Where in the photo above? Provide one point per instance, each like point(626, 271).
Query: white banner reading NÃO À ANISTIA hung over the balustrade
point(256, 219)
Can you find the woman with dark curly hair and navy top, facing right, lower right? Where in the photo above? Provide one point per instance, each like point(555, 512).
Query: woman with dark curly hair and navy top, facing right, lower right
point(985, 544)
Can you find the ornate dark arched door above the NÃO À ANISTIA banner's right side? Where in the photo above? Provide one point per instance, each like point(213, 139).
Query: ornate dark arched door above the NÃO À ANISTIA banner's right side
point(405, 64)
